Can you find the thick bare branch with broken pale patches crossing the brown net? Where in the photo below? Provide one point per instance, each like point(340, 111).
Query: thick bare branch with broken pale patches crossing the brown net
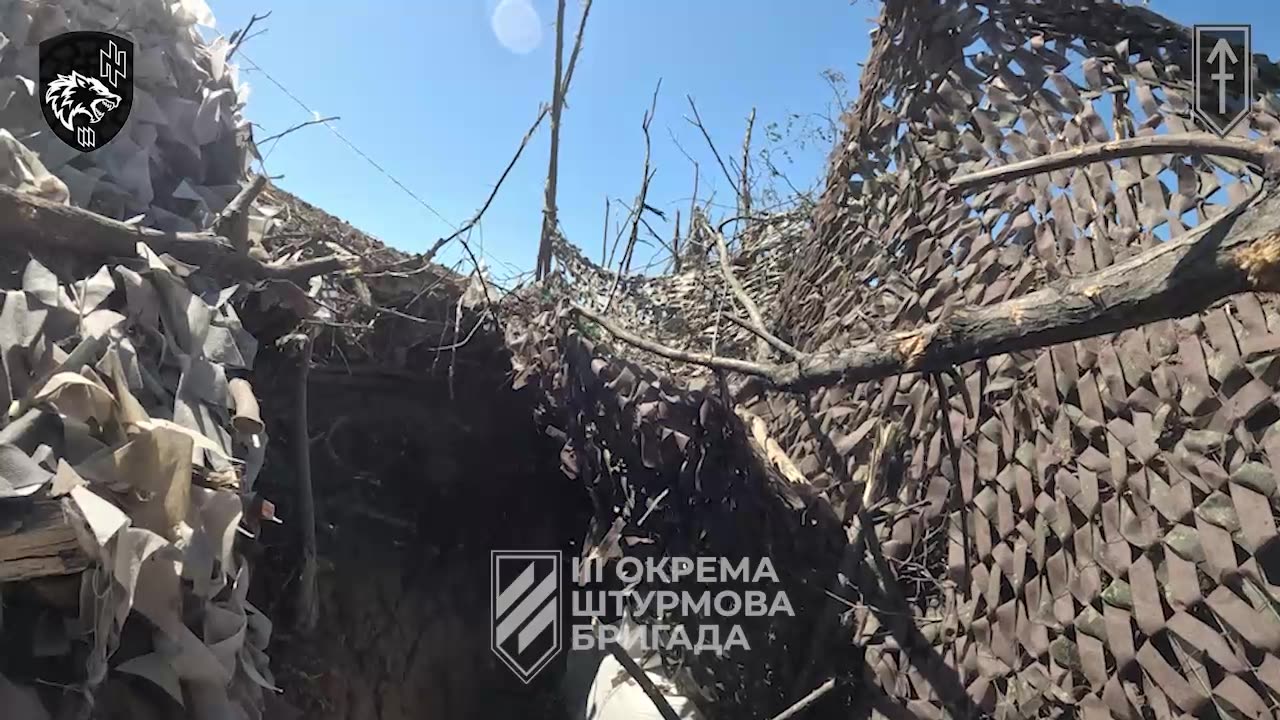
point(1236, 253)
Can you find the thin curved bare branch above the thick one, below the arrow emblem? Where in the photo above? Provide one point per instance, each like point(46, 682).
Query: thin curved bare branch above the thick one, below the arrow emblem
point(1186, 144)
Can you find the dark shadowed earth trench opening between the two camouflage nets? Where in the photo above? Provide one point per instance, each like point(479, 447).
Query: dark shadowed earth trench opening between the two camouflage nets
point(417, 480)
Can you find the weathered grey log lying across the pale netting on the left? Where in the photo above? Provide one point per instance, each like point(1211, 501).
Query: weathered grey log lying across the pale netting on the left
point(39, 225)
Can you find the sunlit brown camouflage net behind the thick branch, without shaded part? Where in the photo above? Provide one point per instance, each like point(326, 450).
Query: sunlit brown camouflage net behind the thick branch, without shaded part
point(1112, 504)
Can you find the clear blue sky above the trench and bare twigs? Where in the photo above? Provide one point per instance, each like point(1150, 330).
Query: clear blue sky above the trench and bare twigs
point(428, 92)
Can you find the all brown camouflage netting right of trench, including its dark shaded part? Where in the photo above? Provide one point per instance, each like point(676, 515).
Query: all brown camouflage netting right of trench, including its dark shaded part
point(1094, 526)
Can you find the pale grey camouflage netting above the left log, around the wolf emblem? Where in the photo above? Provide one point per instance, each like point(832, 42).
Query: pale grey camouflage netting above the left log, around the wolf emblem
point(185, 152)
